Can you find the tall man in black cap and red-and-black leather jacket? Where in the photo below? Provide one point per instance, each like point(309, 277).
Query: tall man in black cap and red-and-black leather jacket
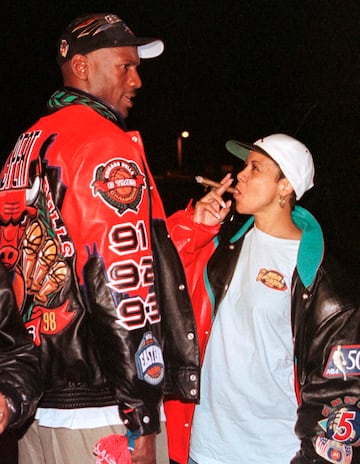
point(85, 257)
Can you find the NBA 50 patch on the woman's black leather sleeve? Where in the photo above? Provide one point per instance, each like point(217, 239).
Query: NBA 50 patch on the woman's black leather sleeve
point(344, 361)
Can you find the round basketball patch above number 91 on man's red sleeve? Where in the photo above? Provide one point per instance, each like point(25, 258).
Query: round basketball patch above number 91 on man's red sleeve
point(120, 184)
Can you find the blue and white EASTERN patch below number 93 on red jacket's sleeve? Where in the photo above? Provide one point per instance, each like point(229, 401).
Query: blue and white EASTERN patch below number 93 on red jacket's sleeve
point(149, 360)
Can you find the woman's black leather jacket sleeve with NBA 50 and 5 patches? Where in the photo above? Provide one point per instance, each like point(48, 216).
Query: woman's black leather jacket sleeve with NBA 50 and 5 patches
point(329, 412)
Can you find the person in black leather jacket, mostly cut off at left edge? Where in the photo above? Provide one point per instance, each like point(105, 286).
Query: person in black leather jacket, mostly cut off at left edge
point(20, 380)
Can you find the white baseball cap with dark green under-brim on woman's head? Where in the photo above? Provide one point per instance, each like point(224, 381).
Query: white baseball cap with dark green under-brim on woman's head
point(293, 157)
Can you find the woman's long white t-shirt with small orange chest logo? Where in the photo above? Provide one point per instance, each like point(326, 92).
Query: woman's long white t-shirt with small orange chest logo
point(247, 407)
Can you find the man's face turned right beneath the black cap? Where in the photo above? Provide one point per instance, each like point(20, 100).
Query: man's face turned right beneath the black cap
point(113, 76)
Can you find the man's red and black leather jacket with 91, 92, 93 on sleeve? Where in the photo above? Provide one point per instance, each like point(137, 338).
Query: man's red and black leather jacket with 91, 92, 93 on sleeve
point(98, 280)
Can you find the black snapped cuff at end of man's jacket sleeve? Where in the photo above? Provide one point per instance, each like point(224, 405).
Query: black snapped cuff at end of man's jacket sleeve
point(143, 420)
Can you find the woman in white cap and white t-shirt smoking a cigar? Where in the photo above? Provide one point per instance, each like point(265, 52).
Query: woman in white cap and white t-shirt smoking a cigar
point(273, 308)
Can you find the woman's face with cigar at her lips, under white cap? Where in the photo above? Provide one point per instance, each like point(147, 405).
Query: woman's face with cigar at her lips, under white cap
point(258, 185)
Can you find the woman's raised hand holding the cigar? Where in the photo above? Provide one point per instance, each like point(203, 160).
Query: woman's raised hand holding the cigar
point(212, 209)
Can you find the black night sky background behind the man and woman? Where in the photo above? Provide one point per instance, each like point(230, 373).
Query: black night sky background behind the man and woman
point(231, 69)
